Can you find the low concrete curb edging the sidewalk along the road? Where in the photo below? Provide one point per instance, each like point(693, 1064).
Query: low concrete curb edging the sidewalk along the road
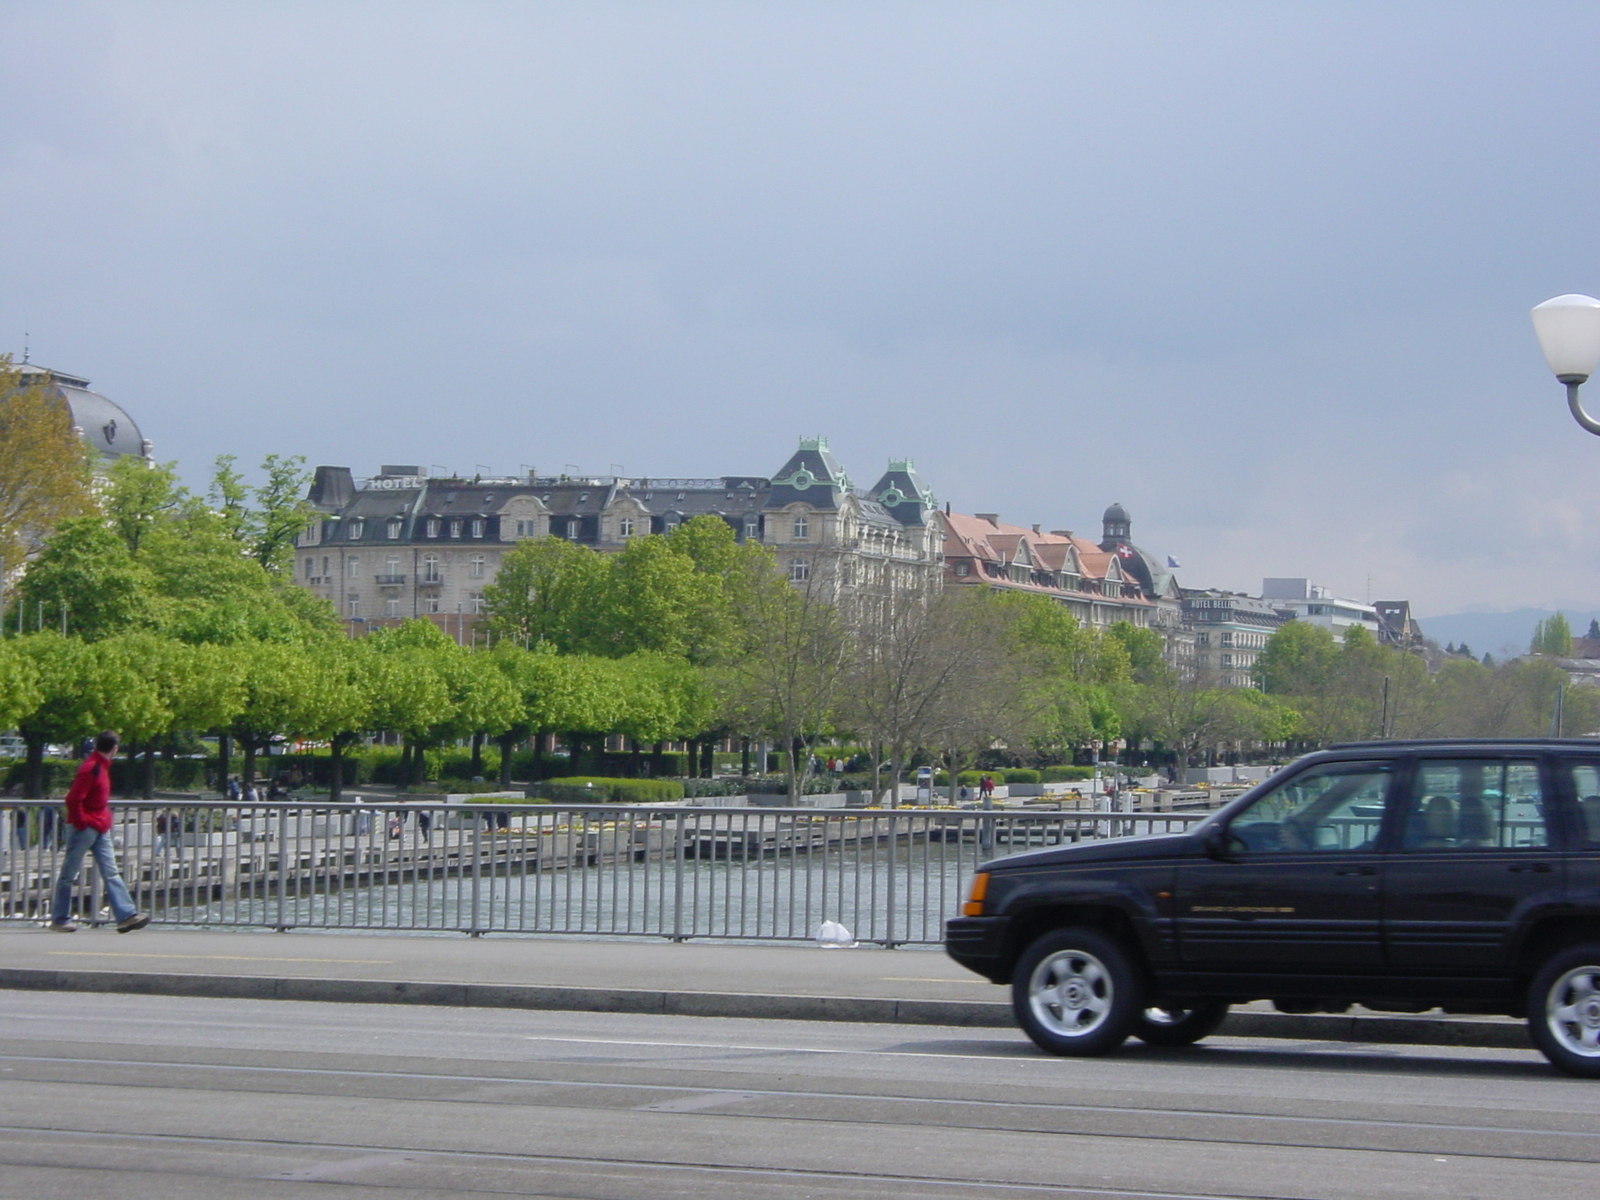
point(1420, 1031)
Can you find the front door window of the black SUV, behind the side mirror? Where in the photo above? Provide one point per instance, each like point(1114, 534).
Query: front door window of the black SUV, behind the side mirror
point(1330, 809)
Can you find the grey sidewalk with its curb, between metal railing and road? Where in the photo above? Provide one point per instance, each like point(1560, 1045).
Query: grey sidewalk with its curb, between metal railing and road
point(791, 983)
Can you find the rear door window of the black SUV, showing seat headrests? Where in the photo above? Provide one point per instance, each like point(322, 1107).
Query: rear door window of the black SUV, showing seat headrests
point(1476, 804)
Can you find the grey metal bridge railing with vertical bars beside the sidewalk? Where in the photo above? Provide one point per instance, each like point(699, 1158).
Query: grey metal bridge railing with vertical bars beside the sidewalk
point(673, 871)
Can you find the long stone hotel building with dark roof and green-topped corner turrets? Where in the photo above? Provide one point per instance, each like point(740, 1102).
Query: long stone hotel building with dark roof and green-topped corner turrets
point(406, 545)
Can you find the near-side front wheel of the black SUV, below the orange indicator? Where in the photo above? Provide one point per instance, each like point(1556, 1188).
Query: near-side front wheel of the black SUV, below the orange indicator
point(1076, 993)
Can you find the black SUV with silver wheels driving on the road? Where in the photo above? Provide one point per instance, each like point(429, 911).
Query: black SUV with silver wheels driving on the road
point(1398, 876)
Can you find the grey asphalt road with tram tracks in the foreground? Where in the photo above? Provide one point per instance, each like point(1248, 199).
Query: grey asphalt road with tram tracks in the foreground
point(146, 1098)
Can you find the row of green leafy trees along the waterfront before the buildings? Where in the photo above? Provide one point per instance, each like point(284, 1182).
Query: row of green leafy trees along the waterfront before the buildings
point(159, 614)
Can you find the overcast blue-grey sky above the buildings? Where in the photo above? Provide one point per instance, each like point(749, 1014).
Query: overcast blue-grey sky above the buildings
point(1257, 271)
